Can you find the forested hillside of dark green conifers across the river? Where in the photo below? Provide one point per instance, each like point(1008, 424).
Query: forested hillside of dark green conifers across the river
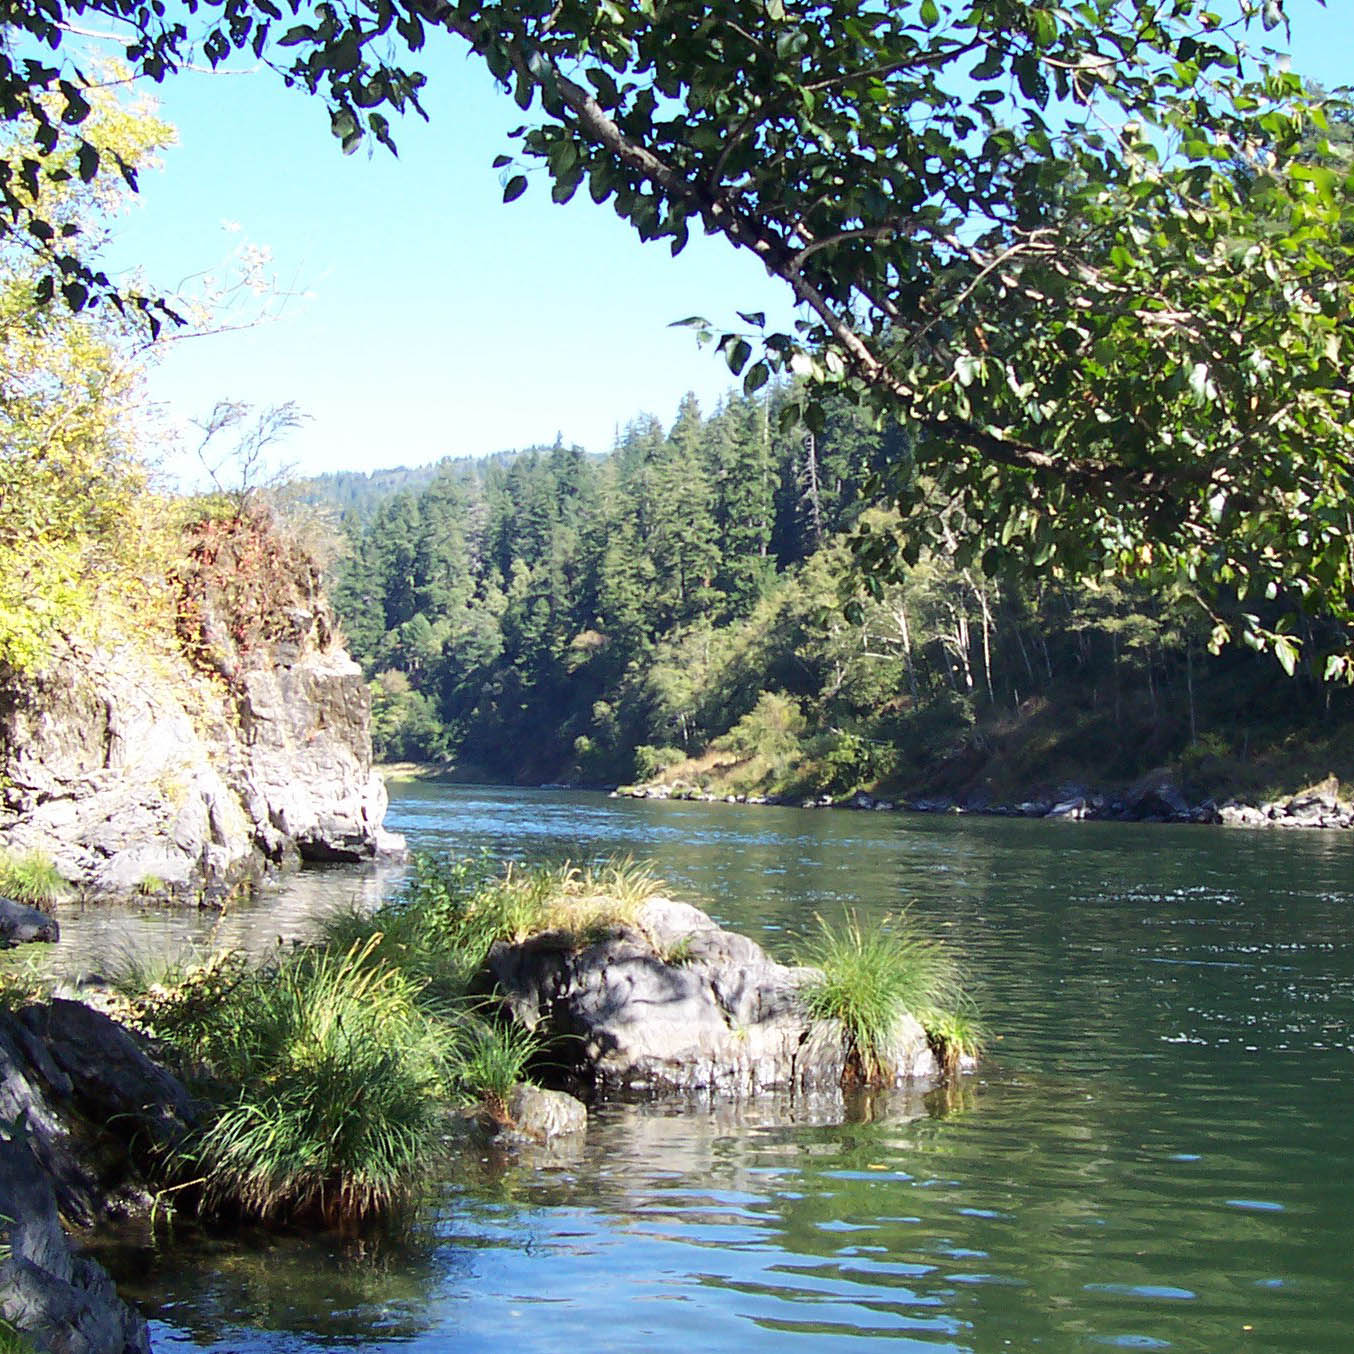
point(554, 617)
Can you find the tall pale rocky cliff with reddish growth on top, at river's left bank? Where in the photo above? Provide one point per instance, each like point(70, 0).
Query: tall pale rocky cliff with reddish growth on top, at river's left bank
point(183, 770)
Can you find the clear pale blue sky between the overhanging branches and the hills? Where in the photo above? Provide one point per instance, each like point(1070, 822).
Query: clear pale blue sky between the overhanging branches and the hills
point(429, 319)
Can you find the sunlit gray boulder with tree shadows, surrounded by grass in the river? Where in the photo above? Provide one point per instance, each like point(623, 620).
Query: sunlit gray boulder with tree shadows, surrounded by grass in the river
point(679, 1004)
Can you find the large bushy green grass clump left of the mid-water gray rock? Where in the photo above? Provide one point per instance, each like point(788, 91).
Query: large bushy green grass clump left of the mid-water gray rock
point(330, 1080)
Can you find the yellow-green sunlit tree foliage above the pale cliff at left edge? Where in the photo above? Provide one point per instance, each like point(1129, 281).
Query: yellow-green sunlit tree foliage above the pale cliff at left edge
point(79, 538)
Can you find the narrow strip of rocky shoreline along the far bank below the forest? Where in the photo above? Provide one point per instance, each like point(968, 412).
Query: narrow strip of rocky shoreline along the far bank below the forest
point(1157, 800)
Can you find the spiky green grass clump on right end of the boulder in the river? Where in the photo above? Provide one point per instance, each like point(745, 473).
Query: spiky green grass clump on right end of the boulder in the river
point(871, 978)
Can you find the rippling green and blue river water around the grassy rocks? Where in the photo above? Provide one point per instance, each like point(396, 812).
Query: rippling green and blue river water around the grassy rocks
point(1158, 1153)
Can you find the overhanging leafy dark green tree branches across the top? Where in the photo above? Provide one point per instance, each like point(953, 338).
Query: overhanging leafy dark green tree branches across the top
point(1095, 255)
